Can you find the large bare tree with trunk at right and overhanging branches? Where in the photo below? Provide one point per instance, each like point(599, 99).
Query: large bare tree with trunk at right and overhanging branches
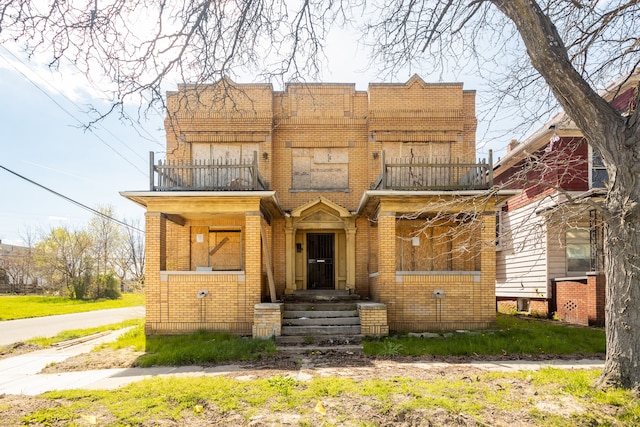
point(560, 47)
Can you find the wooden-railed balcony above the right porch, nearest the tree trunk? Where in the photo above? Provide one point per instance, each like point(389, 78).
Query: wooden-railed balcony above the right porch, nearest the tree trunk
point(416, 174)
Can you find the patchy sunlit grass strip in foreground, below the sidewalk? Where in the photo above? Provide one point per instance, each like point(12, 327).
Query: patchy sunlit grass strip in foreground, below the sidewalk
point(515, 397)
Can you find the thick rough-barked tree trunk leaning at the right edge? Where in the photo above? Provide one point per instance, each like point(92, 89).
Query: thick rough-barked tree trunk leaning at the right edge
point(618, 141)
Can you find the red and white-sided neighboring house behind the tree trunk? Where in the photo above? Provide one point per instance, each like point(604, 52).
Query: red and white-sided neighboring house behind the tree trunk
point(549, 237)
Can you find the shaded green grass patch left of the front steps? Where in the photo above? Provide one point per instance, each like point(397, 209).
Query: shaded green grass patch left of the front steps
point(202, 347)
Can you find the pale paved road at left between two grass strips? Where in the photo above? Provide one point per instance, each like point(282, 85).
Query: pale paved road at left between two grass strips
point(19, 330)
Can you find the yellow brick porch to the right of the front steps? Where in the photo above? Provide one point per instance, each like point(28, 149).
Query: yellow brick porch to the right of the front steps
point(432, 258)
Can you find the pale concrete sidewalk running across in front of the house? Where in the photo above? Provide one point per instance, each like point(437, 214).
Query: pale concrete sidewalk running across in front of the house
point(20, 374)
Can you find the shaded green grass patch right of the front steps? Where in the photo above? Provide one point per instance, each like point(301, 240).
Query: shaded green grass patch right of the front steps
point(513, 335)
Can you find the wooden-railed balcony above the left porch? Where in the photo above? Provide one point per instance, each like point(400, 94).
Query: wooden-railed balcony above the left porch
point(201, 175)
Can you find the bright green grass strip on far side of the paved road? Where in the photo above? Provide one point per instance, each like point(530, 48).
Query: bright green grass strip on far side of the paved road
point(22, 307)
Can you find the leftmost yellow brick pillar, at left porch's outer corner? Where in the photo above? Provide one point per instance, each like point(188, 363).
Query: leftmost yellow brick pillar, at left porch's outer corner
point(155, 261)
